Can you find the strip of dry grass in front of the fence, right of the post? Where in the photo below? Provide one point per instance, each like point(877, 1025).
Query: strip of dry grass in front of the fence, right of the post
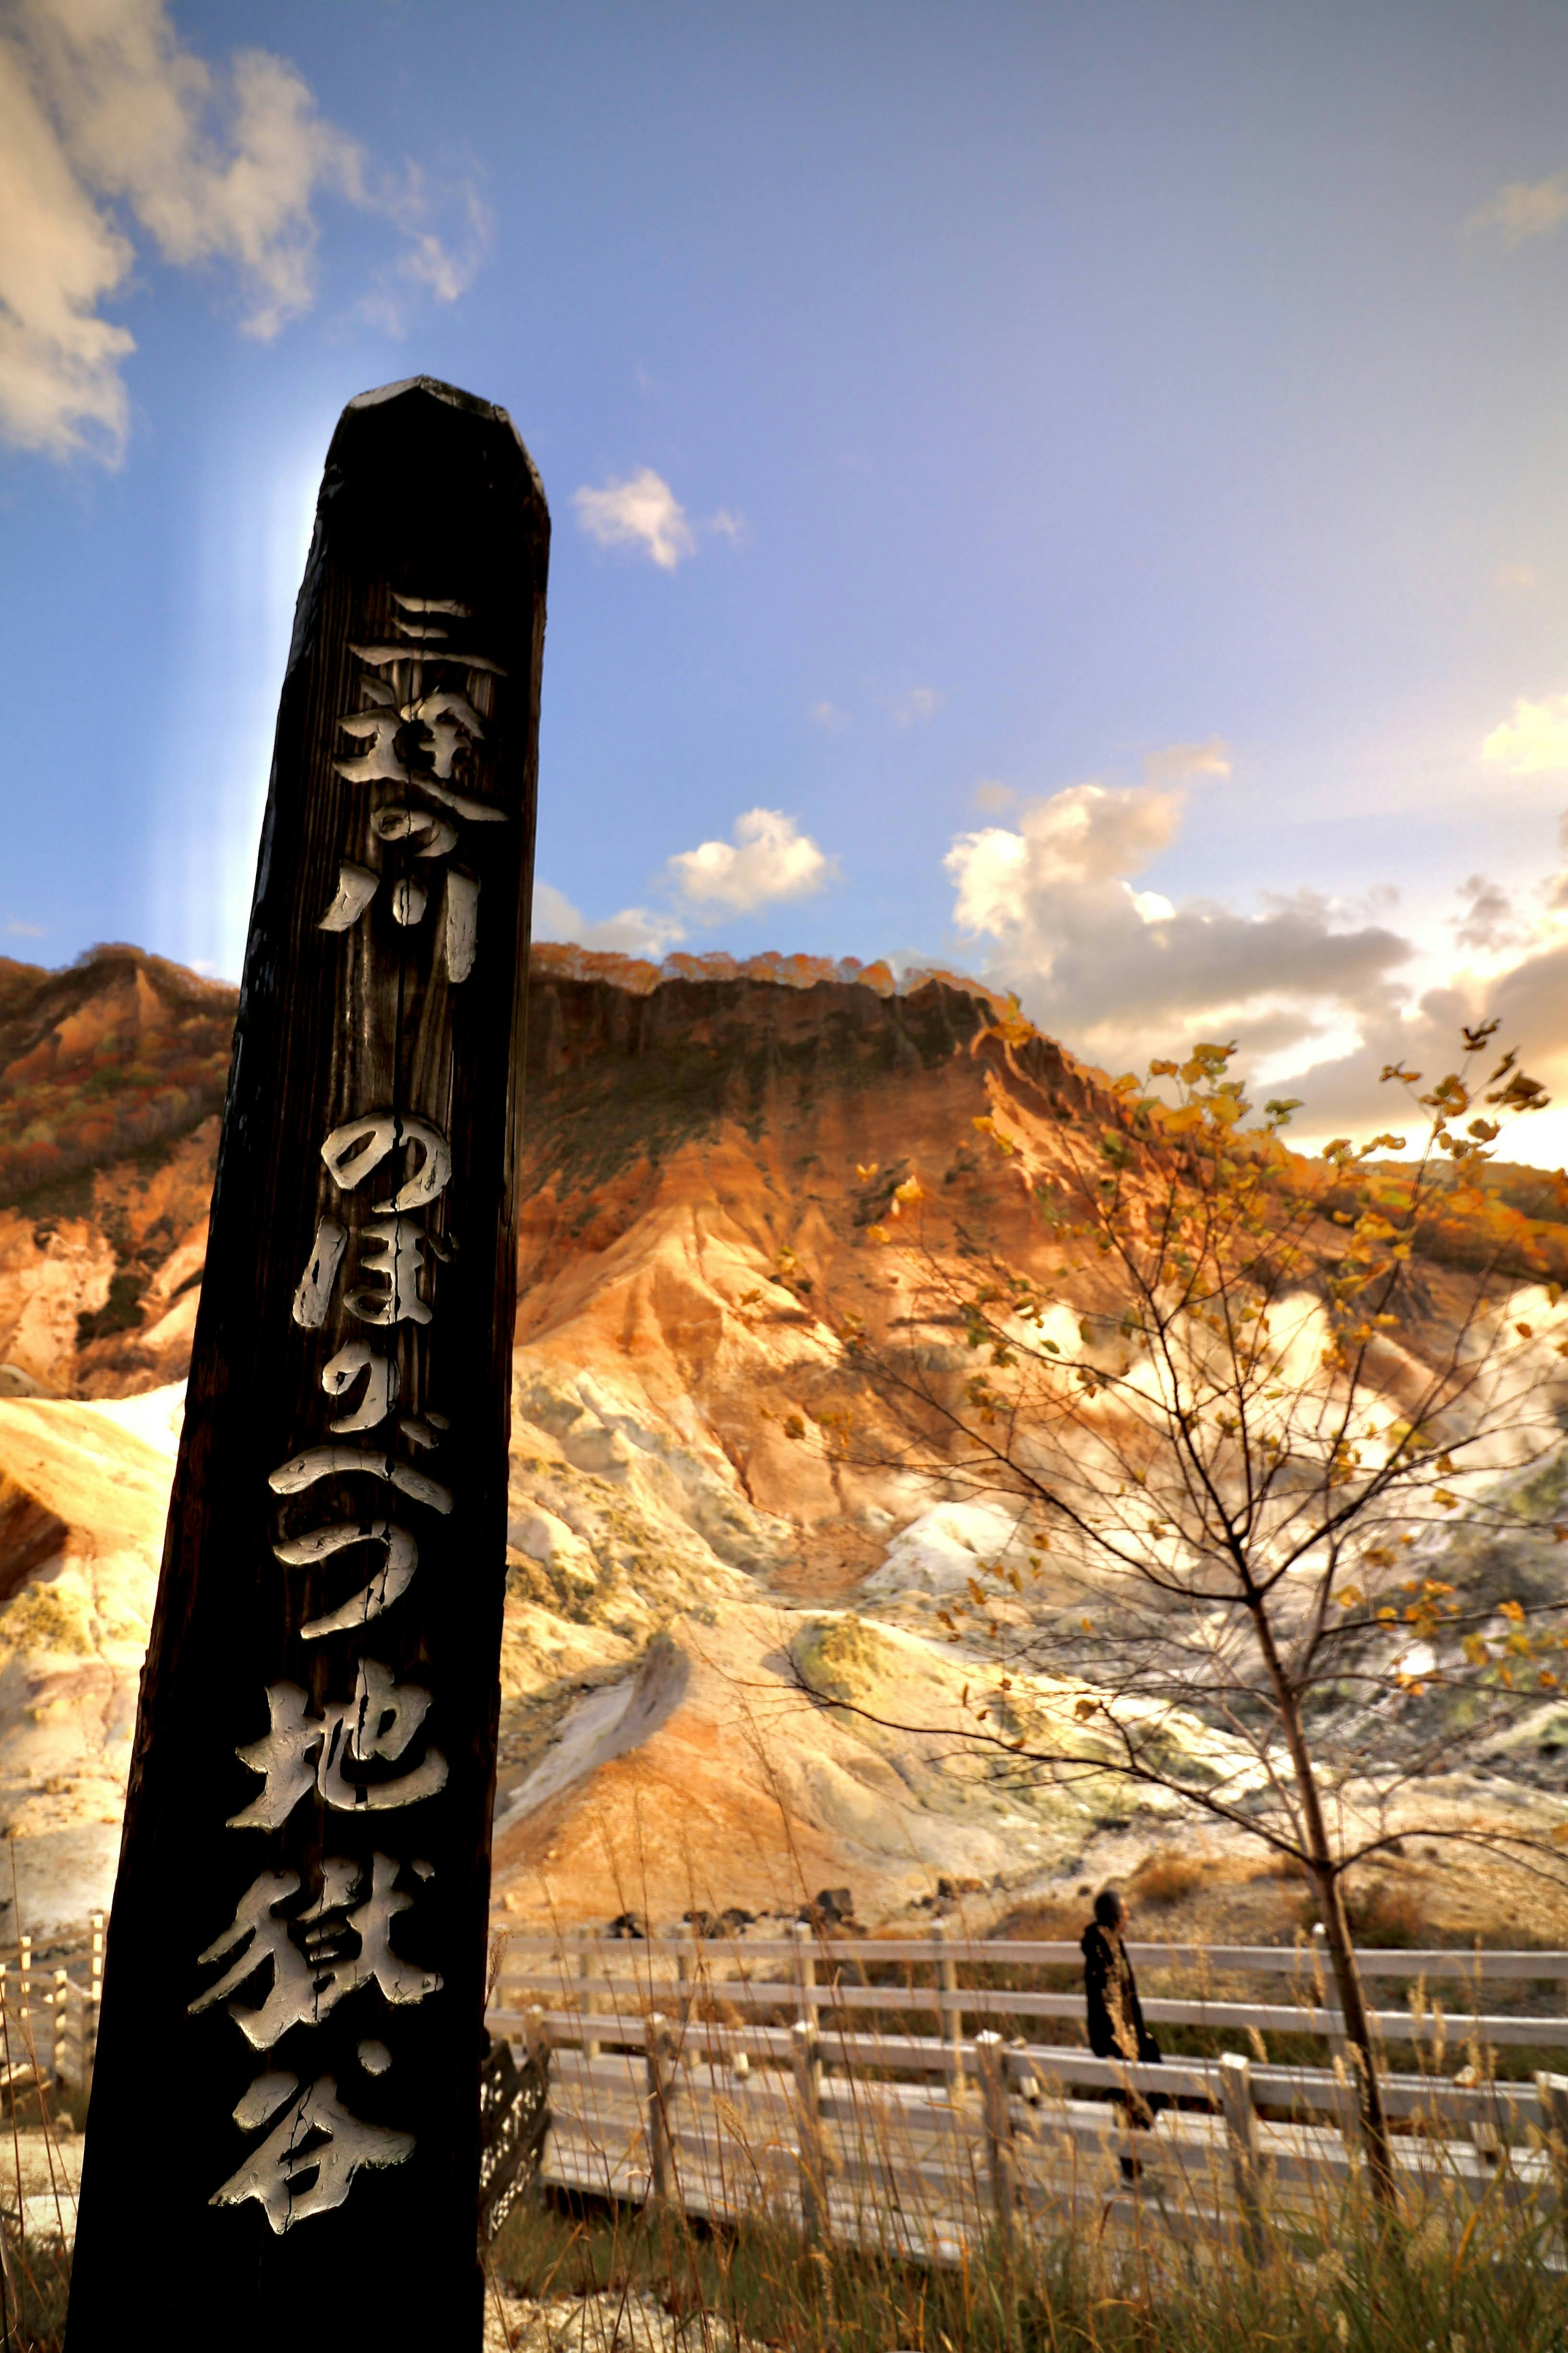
point(1360, 2291)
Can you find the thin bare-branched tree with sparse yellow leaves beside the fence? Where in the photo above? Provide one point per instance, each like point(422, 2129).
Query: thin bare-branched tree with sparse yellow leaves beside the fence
point(1235, 1427)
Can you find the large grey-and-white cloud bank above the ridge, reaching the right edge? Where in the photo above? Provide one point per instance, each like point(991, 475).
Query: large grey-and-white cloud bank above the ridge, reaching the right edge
point(1318, 1001)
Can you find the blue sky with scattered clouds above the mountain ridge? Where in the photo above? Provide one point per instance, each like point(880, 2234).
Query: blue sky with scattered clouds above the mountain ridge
point(1080, 488)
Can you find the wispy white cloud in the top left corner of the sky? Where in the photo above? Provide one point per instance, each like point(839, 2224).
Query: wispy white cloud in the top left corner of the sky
point(107, 121)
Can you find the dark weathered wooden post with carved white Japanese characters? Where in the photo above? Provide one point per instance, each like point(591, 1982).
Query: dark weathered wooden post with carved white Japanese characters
point(286, 2114)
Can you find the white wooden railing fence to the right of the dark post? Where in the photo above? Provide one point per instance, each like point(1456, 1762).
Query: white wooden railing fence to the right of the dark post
point(728, 2074)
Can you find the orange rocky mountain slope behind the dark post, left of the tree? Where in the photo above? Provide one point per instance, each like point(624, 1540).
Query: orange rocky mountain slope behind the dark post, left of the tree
point(711, 1156)
